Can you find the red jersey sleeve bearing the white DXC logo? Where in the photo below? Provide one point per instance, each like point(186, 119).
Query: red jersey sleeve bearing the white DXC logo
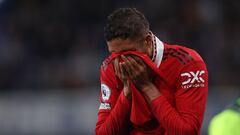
point(186, 116)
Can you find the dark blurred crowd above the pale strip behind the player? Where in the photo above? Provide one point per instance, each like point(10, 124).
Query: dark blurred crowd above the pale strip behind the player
point(49, 44)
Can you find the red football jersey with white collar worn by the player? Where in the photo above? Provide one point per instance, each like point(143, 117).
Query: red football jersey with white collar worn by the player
point(178, 111)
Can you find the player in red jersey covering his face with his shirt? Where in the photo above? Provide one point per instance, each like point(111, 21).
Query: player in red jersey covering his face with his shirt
point(148, 86)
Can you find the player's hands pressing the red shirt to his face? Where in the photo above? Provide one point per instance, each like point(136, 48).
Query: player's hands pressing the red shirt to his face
point(133, 69)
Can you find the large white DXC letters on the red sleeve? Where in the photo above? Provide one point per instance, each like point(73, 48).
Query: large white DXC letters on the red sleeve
point(193, 77)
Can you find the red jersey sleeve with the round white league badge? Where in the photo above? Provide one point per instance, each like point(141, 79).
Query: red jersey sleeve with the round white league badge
point(114, 110)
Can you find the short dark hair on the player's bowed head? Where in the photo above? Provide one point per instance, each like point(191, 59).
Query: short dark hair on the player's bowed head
point(125, 23)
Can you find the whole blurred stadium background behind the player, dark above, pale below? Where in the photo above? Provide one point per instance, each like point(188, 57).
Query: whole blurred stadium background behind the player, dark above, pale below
point(51, 51)
